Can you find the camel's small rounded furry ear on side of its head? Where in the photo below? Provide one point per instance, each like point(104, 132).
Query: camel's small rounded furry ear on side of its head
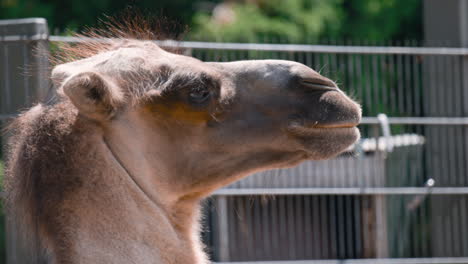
point(94, 95)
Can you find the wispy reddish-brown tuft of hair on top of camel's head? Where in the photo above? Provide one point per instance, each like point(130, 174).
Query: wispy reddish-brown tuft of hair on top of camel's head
point(115, 31)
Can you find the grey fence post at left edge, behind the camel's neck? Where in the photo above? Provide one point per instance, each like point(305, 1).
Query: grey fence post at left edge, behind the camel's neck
point(24, 81)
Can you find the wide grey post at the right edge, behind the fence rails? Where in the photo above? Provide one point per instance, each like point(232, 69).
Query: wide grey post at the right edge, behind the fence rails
point(446, 24)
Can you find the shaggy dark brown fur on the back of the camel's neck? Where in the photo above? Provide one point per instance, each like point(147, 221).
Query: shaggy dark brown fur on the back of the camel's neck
point(44, 146)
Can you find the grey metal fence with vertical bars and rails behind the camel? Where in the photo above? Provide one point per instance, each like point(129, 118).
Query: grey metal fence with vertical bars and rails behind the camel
point(398, 196)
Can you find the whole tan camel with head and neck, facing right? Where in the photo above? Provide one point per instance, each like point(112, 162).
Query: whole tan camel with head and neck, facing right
point(115, 171)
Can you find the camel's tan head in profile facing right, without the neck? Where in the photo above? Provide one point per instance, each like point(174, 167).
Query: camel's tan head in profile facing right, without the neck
point(186, 127)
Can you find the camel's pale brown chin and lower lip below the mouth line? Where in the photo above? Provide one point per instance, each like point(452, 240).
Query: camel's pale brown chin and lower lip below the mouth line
point(326, 143)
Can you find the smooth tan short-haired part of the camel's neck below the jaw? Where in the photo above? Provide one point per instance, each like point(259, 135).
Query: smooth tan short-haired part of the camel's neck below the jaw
point(116, 217)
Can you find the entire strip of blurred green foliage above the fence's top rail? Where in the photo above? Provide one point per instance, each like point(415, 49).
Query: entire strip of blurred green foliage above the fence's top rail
point(298, 21)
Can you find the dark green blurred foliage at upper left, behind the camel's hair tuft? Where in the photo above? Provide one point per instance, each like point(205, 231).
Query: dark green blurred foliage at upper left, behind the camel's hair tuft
point(73, 15)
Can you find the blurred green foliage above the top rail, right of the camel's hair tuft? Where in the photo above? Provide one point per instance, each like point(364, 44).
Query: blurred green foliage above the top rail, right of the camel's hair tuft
point(305, 21)
